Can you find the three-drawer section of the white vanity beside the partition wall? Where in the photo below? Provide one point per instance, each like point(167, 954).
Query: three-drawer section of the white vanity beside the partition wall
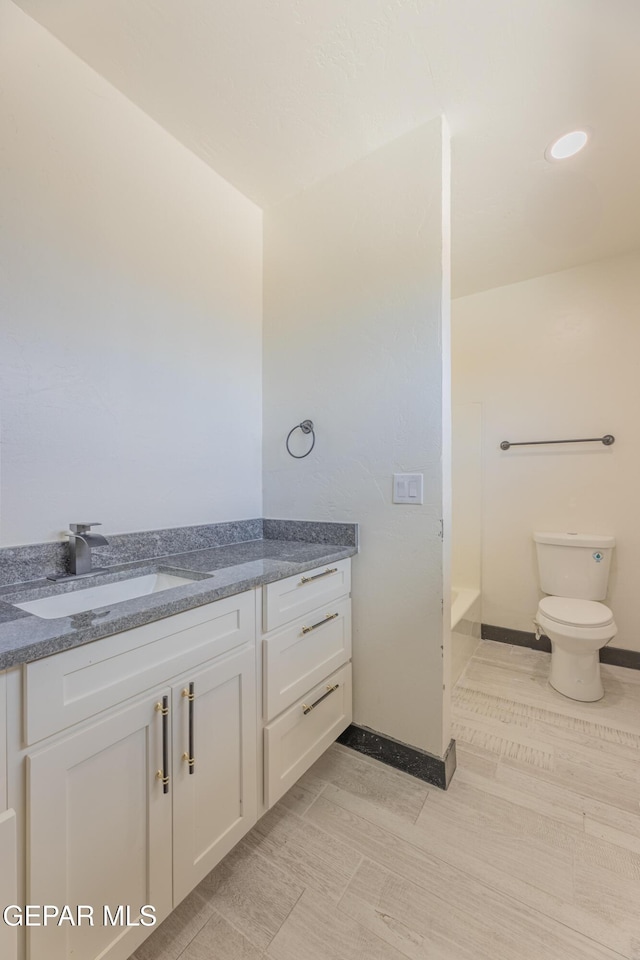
point(306, 672)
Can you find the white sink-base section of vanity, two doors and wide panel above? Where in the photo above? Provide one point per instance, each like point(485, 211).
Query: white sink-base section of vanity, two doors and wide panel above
point(134, 805)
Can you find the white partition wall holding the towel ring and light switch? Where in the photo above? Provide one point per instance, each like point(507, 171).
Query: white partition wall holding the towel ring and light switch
point(354, 310)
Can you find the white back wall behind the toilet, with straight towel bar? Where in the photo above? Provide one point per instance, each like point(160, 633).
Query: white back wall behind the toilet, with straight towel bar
point(555, 357)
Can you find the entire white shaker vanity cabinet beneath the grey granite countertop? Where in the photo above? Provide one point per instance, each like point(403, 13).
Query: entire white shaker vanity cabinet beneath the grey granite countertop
point(136, 762)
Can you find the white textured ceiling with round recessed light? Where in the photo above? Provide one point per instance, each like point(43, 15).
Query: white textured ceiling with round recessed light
point(276, 94)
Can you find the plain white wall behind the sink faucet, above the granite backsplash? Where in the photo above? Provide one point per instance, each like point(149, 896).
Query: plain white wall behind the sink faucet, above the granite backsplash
point(130, 310)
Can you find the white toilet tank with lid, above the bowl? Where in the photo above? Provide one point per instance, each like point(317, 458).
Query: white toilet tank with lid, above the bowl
point(574, 564)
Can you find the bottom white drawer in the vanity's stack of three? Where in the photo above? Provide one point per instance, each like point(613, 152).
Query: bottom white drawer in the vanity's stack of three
point(294, 741)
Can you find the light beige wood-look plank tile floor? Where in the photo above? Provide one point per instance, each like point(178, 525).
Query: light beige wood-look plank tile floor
point(532, 854)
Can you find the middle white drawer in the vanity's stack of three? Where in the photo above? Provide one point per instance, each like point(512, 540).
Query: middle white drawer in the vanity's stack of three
point(301, 655)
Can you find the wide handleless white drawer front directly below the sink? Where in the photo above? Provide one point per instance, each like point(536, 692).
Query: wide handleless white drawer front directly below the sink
point(76, 684)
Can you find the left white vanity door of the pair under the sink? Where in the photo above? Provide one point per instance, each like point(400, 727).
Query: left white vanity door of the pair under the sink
point(99, 832)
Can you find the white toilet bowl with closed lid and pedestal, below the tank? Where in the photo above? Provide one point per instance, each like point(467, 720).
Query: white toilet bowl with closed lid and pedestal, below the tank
point(577, 629)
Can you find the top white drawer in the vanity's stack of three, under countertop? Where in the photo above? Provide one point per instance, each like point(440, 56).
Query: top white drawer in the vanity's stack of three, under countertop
point(286, 600)
